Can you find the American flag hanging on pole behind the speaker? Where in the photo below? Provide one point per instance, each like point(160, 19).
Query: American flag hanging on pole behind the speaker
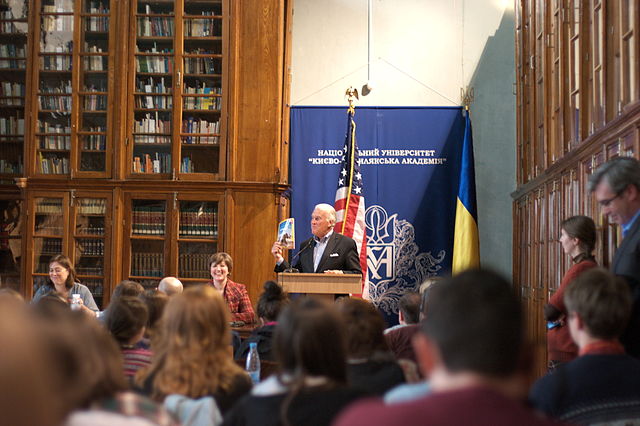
point(349, 202)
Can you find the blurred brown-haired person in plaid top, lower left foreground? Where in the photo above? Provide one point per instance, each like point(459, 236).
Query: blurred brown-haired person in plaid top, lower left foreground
point(89, 379)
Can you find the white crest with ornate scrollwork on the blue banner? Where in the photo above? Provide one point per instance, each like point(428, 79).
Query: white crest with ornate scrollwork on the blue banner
point(394, 264)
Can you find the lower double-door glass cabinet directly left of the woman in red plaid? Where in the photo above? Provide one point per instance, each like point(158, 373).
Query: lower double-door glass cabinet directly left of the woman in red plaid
point(172, 235)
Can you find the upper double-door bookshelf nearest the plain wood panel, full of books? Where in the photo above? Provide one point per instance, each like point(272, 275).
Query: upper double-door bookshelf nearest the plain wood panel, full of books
point(177, 89)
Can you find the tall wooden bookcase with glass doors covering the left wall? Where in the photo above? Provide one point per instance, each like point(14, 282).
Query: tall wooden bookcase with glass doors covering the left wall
point(164, 118)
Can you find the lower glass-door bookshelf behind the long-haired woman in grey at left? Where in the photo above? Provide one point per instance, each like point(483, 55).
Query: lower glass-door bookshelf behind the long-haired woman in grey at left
point(77, 224)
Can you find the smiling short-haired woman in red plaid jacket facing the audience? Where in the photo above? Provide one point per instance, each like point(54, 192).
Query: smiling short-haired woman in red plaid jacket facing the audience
point(235, 295)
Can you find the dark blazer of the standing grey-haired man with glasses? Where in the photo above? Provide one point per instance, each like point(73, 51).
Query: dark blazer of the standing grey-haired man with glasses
point(626, 264)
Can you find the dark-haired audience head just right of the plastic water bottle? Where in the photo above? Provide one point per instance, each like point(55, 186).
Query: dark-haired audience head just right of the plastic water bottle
point(309, 342)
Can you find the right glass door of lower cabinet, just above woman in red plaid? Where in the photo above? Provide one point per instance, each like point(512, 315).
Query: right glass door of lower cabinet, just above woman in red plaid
point(197, 238)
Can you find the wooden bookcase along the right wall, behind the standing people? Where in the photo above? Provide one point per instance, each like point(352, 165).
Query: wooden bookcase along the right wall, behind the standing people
point(578, 105)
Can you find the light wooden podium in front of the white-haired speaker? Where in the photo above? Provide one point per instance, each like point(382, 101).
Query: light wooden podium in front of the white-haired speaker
point(321, 285)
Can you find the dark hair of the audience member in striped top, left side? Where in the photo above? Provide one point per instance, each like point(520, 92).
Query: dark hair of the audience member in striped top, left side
point(125, 317)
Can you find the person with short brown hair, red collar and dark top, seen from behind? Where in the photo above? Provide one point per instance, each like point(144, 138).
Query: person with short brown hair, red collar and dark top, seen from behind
point(601, 385)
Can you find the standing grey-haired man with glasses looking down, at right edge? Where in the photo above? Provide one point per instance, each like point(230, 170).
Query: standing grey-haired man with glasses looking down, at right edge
point(616, 187)
